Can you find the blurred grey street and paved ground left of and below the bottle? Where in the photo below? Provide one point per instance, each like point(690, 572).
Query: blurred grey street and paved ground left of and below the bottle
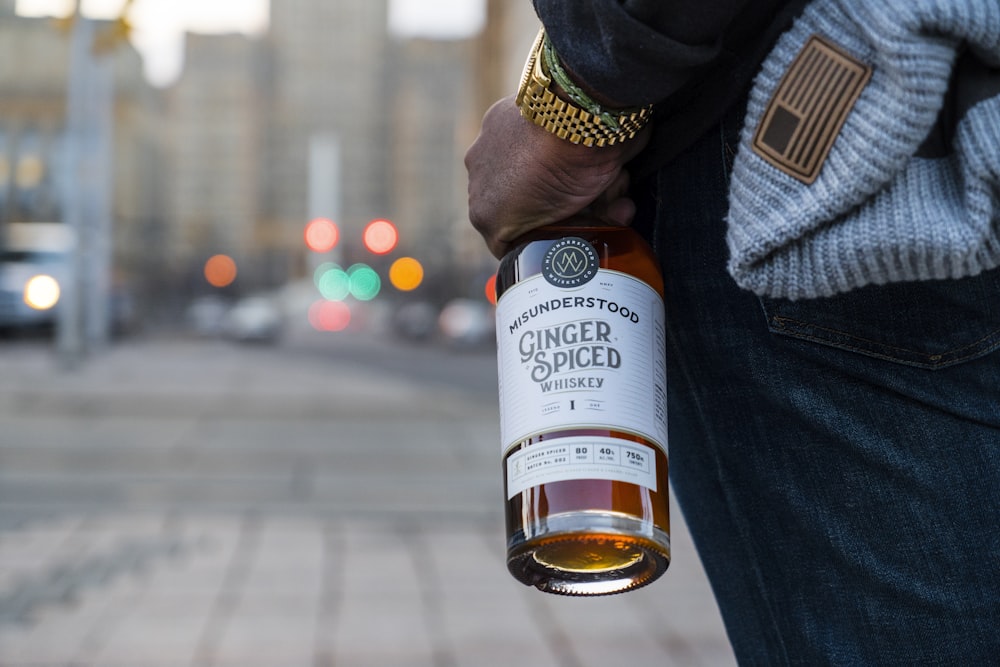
point(329, 500)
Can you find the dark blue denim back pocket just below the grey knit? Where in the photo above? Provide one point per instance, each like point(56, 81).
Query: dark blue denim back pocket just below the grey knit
point(932, 324)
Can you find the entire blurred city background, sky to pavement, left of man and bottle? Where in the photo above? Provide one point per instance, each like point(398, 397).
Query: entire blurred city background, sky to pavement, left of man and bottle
point(205, 488)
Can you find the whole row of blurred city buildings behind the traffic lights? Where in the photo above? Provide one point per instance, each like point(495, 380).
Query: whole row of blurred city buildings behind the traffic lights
point(326, 114)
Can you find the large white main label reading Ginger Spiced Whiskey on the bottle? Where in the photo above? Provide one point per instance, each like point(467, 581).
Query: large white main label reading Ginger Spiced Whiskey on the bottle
point(588, 356)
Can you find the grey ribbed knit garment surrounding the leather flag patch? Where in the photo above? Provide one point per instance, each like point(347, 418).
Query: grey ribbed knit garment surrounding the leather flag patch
point(875, 212)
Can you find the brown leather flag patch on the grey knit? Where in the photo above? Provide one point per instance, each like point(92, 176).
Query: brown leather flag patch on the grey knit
point(809, 108)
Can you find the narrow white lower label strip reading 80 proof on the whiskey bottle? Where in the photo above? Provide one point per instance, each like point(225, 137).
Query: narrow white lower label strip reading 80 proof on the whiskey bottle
point(581, 457)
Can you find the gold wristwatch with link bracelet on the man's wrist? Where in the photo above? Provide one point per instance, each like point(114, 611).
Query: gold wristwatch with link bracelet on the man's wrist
point(540, 105)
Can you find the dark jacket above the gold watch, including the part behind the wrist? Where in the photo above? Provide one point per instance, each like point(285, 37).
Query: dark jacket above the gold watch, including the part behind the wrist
point(692, 58)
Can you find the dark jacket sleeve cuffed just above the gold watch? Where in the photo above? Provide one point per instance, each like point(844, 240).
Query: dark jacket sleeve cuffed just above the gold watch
point(642, 51)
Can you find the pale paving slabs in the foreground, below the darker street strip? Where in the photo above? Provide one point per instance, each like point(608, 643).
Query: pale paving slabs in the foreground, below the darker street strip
point(271, 591)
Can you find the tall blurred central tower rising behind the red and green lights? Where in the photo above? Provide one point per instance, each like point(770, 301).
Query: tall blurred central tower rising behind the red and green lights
point(327, 109)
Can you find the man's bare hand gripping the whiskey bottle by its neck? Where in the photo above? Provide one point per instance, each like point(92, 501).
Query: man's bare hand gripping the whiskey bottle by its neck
point(522, 177)
